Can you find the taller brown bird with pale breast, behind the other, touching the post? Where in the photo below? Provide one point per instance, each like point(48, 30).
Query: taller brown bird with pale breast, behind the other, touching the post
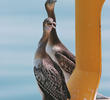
point(55, 48)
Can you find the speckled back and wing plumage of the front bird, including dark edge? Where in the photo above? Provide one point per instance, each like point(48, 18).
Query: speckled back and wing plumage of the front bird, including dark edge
point(51, 79)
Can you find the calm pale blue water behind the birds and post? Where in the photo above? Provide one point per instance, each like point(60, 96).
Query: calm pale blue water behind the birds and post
point(20, 31)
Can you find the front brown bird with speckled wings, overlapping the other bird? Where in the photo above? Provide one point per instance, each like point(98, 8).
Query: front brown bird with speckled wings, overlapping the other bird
point(48, 74)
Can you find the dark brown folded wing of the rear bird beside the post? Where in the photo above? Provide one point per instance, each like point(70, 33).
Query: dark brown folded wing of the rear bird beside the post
point(65, 62)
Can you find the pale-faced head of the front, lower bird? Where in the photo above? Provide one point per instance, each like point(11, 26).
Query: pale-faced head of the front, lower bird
point(48, 25)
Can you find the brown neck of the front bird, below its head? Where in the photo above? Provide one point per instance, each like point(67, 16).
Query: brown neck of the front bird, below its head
point(41, 52)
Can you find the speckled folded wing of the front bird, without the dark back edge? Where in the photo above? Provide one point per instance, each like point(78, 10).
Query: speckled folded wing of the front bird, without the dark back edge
point(50, 80)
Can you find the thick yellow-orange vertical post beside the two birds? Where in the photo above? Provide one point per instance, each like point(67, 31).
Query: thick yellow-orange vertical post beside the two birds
point(85, 79)
